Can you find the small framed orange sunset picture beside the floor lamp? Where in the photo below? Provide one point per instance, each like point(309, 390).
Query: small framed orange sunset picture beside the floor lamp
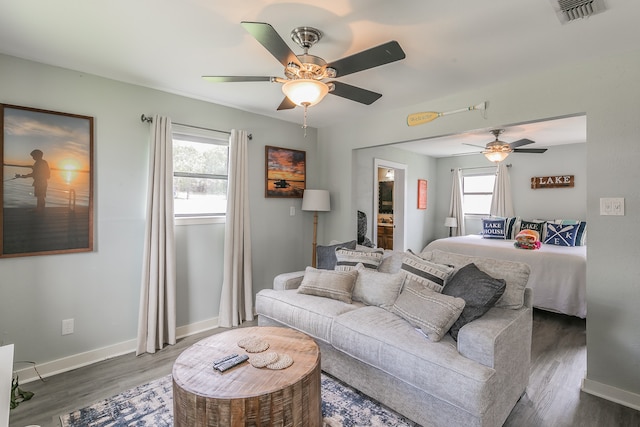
point(285, 172)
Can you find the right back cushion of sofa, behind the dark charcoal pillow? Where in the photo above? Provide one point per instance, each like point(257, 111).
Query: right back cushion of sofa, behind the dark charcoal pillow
point(515, 274)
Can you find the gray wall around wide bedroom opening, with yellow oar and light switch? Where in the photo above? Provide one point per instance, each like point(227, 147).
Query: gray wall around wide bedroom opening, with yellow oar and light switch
point(606, 89)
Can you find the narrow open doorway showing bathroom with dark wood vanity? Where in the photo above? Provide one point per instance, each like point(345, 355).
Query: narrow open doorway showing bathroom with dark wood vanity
point(389, 191)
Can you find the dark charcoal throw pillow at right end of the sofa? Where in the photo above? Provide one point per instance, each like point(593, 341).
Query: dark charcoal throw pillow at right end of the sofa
point(479, 291)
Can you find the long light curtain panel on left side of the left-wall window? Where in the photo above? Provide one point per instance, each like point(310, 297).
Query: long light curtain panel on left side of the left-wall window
point(157, 315)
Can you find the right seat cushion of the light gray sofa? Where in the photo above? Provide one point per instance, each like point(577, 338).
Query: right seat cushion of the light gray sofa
point(387, 342)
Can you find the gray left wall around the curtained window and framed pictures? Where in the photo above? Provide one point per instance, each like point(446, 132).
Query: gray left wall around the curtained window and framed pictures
point(100, 290)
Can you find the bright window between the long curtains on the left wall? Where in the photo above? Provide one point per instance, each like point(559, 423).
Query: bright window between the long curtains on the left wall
point(200, 172)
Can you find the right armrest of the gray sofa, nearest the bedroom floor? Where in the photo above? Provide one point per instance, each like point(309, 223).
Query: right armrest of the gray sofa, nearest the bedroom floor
point(498, 339)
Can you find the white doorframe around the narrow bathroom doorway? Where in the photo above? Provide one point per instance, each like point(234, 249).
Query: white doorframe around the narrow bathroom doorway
point(399, 201)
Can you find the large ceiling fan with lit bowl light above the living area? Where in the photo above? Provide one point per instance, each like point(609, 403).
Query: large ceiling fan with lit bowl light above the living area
point(304, 83)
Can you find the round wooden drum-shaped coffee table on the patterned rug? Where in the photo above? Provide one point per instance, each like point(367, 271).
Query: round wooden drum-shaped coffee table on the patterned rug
point(245, 395)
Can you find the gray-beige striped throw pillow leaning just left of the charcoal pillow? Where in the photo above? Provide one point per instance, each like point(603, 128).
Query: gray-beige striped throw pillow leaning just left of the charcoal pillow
point(430, 311)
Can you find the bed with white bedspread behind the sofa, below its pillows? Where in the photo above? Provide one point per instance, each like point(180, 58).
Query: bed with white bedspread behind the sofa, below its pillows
point(558, 273)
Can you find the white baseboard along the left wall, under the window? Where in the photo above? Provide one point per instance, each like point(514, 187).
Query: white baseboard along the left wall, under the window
point(79, 360)
